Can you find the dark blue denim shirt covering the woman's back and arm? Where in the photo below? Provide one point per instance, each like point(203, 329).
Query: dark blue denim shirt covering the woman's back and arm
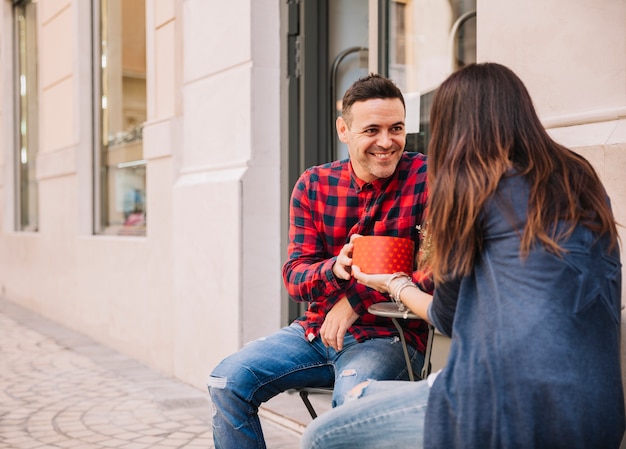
point(535, 356)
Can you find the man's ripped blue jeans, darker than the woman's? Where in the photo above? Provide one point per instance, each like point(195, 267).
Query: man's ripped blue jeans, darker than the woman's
point(285, 360)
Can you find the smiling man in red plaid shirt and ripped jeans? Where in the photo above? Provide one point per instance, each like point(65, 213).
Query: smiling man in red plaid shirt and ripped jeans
point(379, 190)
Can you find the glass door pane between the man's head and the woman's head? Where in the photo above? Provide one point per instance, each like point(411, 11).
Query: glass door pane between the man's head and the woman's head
point(427, 42)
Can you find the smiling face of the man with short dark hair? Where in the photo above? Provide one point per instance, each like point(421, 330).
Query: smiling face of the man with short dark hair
point(375, 137)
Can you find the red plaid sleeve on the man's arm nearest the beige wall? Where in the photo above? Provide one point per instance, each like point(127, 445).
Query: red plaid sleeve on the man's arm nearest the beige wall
point(308, 272)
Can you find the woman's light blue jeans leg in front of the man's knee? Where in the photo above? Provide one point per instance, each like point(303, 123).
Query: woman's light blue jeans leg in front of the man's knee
point(387, 415)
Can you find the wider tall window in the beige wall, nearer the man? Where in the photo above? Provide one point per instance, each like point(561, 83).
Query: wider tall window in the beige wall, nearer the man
point(120, 85)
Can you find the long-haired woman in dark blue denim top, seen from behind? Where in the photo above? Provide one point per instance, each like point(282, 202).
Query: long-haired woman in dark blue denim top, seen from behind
point(525, 258)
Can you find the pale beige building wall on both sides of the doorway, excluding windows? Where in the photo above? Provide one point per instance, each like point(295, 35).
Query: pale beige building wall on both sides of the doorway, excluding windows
point(206, 278)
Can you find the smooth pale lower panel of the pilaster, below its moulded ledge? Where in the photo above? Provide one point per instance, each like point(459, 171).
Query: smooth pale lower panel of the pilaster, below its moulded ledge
point(207, 280)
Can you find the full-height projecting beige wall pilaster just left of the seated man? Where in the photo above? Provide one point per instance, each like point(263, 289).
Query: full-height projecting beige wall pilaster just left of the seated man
point(226, 247)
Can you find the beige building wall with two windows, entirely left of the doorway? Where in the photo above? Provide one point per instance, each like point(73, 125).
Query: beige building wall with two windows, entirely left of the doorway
point(176, 299)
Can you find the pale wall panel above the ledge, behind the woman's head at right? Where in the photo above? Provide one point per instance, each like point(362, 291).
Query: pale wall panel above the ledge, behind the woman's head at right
point(569, 54)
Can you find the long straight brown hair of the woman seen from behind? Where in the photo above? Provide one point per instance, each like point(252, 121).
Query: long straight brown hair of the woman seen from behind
point(483, 123)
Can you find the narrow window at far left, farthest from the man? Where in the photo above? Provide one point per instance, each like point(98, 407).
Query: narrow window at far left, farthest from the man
point(25, 28)
